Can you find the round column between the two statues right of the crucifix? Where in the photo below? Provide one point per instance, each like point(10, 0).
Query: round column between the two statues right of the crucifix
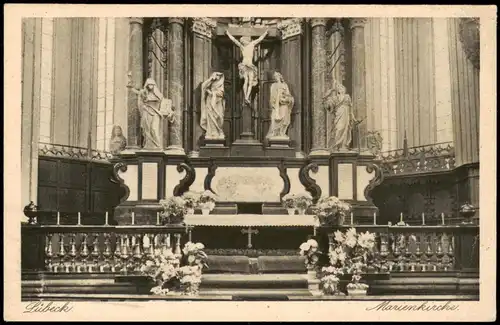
point(318, 67)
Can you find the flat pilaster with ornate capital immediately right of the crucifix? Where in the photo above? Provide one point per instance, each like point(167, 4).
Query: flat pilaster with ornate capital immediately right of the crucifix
point(291, 56)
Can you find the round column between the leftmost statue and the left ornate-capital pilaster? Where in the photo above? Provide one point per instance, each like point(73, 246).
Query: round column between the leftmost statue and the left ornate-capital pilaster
point(176, 83)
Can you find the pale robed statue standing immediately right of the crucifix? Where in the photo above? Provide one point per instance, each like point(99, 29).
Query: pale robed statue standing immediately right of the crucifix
point(281, 102)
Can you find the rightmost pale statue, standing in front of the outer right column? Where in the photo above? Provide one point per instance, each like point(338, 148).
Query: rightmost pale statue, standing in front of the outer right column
point(338, 101)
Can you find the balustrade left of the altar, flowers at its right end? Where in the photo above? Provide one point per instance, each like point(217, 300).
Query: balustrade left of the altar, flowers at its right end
point(95, 249)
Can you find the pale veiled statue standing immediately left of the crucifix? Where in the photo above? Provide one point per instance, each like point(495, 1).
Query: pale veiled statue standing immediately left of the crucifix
point(213, 106)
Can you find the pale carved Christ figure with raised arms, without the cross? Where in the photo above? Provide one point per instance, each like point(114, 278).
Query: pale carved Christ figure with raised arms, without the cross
point(247, 70)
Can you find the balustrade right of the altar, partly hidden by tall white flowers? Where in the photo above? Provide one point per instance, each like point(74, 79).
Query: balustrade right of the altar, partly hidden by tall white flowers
point(407, 249)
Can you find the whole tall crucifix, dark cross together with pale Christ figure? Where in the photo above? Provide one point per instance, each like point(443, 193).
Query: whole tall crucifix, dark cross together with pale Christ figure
point(247, 69)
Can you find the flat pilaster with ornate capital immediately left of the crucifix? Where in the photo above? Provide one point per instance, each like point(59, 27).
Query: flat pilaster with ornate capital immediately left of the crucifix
point(202, 54)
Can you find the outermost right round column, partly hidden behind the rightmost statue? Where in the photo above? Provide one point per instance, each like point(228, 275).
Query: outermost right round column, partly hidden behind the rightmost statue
point(358, 79)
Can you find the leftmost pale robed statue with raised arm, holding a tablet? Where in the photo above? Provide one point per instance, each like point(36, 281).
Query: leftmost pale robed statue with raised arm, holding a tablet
point(153, 107)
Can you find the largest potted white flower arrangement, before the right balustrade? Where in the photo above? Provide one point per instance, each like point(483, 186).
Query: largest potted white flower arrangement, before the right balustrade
point(352, 253)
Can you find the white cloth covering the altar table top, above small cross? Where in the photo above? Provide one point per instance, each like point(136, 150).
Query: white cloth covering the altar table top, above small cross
point(251, 220)
